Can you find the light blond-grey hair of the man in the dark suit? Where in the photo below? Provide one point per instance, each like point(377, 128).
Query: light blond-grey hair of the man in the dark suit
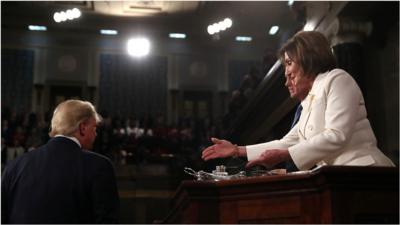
point(69, 114)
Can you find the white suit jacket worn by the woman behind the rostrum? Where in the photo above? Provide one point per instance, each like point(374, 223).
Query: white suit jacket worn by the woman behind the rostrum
point(333, 128)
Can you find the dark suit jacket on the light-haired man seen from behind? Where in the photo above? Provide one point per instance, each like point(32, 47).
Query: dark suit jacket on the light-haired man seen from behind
point(59, 183)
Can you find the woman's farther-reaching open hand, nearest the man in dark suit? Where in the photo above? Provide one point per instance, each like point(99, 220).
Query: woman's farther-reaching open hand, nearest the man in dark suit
point(220, 149)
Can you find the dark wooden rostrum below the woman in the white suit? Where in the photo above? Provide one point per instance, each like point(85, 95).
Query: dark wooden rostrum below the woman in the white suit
point(332, 194)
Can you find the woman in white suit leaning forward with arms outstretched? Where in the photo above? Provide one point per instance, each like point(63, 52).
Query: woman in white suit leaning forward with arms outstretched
point(333, 128)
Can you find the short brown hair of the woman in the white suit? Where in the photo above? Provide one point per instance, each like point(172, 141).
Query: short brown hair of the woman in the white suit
point(311, 50)
